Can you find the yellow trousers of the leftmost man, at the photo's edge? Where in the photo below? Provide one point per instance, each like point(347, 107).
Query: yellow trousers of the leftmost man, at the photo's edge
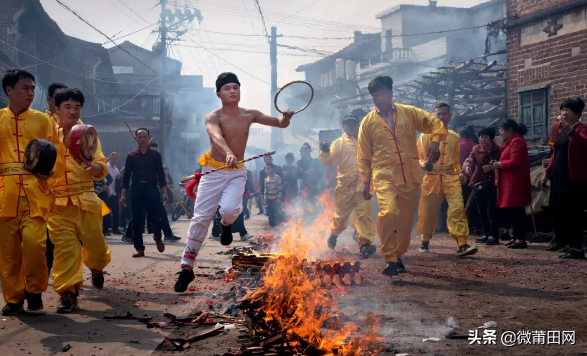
point(23, 263)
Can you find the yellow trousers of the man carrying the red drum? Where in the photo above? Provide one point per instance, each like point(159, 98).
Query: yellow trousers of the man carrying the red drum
point(68, 225)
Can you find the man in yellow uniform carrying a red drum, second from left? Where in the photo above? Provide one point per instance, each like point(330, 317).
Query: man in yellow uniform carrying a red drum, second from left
point(78, 213)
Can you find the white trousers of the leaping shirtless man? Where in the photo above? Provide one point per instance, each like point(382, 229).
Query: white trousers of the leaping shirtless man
point(224, 188)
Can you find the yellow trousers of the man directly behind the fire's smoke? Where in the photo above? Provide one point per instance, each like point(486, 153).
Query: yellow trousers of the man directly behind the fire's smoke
point(349, 200)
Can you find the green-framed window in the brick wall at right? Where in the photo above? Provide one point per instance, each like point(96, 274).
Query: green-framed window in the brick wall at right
point(533, 112)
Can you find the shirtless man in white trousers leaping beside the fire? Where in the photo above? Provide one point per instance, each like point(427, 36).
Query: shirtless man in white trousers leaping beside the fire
point(228, 128)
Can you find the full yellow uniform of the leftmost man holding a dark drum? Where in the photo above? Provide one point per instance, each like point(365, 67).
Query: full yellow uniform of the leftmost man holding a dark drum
point(25, 203)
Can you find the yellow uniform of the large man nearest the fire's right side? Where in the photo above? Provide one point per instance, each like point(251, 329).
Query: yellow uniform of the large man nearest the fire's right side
point(390, 156)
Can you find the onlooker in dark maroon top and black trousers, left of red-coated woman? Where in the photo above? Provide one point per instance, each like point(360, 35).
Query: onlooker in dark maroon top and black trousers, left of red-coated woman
point(478, 170)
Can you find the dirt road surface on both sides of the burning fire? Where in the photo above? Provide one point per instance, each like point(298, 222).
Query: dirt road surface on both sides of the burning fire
point(520, 290)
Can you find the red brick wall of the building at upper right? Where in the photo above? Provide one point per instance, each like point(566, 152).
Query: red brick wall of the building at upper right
point(558, 62)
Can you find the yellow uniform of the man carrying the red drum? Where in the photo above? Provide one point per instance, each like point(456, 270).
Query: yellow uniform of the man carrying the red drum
point(77, 217)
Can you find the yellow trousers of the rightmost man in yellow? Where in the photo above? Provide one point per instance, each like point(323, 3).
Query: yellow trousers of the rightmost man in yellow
point(428, 211)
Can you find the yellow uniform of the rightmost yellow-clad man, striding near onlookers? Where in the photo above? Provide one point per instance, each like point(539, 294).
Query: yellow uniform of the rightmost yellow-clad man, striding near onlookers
point(442, 182)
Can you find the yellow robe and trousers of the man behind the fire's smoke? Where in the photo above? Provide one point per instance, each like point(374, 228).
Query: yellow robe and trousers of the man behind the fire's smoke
point(348, 192)
